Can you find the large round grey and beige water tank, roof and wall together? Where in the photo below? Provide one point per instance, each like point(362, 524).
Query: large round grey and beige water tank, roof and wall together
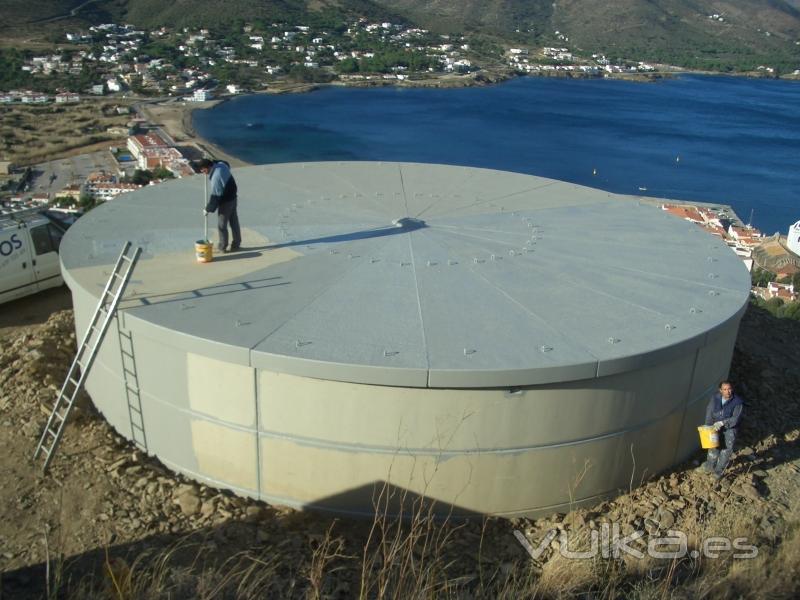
point(497, 342)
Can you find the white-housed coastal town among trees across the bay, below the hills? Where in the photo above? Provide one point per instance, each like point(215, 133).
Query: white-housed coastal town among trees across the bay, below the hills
point(122, 58)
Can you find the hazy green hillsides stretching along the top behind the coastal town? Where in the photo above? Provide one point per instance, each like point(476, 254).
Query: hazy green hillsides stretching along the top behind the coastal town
point(745, 34)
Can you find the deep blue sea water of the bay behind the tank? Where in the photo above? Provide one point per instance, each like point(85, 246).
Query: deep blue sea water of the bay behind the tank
point(713, 139)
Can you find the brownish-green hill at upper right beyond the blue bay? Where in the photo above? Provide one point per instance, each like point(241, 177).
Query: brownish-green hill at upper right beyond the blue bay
point(749, 33)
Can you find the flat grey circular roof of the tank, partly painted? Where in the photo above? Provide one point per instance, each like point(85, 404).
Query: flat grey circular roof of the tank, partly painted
point(415, 275)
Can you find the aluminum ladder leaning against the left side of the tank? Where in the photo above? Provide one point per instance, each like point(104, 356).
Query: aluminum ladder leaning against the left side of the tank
point(87, 351)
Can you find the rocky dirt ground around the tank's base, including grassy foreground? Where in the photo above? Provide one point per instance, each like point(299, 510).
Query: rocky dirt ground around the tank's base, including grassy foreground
point(110, 522)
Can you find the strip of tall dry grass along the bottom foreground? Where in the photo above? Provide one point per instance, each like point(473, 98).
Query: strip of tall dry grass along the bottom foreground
point(412, 558)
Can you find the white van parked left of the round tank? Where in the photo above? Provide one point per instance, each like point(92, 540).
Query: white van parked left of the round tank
point(29, 242)
